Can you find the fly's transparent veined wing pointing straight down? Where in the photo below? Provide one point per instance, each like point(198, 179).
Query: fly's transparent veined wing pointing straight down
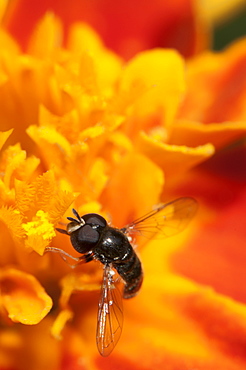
point(110, 314)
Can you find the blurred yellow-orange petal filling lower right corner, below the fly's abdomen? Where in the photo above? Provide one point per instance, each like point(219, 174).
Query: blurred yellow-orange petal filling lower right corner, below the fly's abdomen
point(183, 325)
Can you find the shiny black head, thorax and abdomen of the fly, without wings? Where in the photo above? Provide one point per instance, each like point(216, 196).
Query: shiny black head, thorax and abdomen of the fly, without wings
point(97, 240)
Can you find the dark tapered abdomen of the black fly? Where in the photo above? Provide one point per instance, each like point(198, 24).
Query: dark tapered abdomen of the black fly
point(132, 273)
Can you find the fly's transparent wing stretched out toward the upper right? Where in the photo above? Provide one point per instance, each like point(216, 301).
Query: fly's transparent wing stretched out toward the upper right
point(166, 219)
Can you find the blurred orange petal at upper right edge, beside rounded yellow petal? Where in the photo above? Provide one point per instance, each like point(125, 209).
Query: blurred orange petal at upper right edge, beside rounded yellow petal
point(216, 86)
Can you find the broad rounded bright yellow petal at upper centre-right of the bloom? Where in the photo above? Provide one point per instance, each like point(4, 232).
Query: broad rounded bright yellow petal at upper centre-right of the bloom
point(159, 74)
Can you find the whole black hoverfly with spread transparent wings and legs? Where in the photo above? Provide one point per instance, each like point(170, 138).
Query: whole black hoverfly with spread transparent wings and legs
point(95, 239)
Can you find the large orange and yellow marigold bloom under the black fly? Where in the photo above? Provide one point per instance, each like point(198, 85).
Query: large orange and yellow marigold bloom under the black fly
point(82, 127)
